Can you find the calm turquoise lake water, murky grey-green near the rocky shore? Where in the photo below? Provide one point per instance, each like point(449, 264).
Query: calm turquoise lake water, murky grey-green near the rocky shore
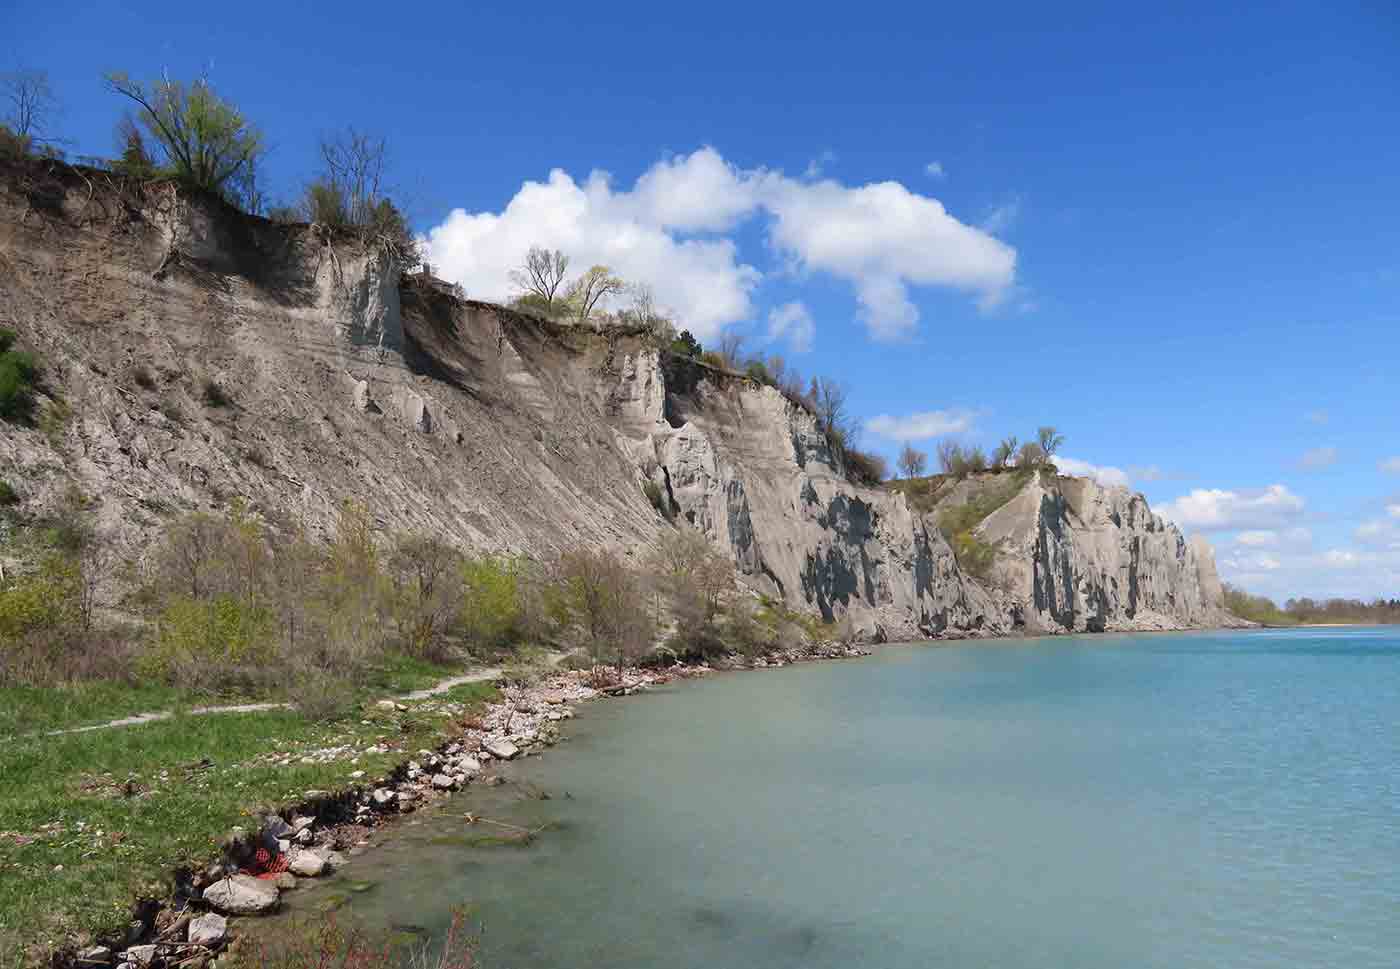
point(1172, 800)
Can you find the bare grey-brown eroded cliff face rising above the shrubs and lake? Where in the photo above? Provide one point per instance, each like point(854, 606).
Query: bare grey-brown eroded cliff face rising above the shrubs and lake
point(348, 380)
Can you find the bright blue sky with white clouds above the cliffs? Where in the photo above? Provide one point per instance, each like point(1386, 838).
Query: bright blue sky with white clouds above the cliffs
point(1172, 232)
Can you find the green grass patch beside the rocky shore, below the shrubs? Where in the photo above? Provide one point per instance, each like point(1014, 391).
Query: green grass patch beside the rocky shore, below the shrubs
point(90, 823)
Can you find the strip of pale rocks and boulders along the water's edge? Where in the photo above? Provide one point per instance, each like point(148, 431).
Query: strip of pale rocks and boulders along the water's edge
point(195, 925)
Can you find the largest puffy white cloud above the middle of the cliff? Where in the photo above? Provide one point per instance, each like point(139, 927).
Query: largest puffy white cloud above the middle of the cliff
point(670, 230)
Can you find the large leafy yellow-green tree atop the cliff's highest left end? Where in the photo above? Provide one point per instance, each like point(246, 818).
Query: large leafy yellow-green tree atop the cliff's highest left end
point(206, 141)
